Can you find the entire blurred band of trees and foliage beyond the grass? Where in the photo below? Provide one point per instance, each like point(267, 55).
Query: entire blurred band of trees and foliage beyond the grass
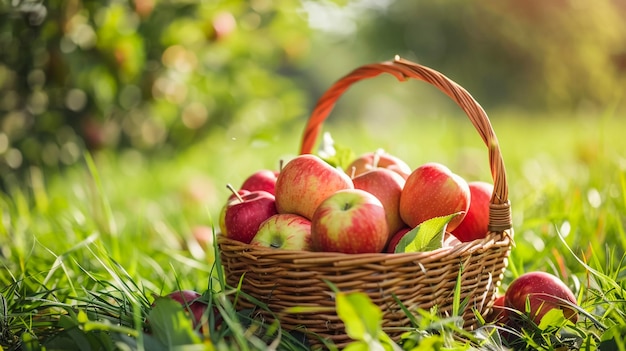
point(158, 76)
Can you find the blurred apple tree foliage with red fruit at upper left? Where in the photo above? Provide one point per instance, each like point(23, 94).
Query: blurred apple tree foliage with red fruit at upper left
point(151, 75)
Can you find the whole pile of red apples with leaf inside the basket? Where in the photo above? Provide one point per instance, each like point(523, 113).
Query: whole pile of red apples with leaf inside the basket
point(377, 204)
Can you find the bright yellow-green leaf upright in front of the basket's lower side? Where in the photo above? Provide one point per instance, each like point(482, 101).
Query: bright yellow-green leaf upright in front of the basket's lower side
point(363, 319)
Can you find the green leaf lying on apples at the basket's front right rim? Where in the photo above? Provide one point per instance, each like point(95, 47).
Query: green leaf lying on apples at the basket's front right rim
point(427, 236)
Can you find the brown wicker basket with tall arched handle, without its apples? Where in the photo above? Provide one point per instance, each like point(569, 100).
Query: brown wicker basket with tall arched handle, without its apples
point(284, 279)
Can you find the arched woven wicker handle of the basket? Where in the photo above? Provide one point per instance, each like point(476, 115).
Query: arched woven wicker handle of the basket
point(499, 209)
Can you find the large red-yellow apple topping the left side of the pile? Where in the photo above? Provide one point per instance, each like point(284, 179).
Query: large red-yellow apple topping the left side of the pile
point(304, 182)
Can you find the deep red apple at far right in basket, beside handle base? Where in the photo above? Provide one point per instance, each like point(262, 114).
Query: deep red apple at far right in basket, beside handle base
point(474, 225)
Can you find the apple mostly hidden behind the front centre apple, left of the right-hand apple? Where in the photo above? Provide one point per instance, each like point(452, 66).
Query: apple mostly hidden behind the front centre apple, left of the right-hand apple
point(387, 186)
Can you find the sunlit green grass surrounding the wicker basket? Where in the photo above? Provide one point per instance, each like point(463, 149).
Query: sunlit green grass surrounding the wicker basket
point(85, 252)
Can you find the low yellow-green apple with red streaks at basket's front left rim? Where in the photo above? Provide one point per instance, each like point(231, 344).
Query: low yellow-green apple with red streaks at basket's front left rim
point(285, 231)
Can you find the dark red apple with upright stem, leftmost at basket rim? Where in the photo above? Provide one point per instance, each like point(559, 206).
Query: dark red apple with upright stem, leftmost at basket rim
point(242, 217)
